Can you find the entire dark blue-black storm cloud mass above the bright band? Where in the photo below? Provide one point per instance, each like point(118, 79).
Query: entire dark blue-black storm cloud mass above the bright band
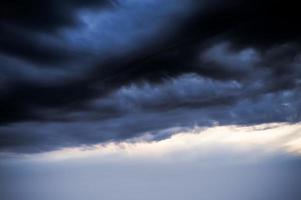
point(83, 72)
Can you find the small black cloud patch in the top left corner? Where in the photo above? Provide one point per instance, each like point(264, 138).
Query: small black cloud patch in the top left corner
point(46, 15)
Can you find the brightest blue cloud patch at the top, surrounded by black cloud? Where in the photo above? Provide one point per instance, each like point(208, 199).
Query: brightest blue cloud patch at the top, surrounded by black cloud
point(124, 28)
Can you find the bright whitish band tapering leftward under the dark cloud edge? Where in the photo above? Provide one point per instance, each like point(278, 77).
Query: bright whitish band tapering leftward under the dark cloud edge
point(230, 143)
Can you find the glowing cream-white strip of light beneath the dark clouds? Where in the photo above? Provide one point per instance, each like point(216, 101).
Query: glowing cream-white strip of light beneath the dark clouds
point(266, 138)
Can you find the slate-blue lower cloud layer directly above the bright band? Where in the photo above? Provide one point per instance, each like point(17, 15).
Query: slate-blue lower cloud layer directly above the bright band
point(137, 110)
